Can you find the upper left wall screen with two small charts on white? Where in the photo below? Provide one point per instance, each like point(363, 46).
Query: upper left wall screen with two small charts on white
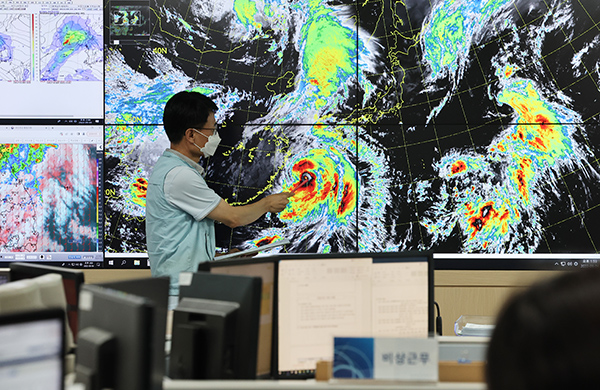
point(51, 60)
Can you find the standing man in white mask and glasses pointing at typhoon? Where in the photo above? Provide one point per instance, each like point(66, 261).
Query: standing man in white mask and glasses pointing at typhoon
point(180, 207)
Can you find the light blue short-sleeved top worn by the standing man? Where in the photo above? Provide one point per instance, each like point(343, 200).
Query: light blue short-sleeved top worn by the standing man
point(179, 236)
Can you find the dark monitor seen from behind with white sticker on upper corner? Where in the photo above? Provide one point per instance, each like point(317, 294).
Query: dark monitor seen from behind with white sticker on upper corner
point(115, 346)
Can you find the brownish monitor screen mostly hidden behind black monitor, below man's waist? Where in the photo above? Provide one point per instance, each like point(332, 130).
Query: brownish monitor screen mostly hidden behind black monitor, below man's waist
point(263, 267)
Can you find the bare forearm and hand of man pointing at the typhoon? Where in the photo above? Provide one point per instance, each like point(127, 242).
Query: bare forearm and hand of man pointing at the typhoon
point(234, 216)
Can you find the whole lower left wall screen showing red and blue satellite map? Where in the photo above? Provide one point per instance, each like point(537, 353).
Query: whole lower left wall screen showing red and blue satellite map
point(50, 195)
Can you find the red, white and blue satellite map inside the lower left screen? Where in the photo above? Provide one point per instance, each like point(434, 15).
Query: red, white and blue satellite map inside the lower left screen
point(41, 185)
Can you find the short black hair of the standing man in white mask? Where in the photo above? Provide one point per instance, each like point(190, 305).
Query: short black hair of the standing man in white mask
point(184, 110)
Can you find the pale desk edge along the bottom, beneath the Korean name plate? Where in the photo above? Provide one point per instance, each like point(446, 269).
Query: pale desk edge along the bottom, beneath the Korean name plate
point(311, 384)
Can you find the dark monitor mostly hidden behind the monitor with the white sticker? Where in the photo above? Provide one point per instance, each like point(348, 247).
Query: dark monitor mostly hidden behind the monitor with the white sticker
point(156, 290)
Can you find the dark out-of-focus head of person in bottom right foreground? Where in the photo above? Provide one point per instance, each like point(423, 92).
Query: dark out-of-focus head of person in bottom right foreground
point(548, 336)
